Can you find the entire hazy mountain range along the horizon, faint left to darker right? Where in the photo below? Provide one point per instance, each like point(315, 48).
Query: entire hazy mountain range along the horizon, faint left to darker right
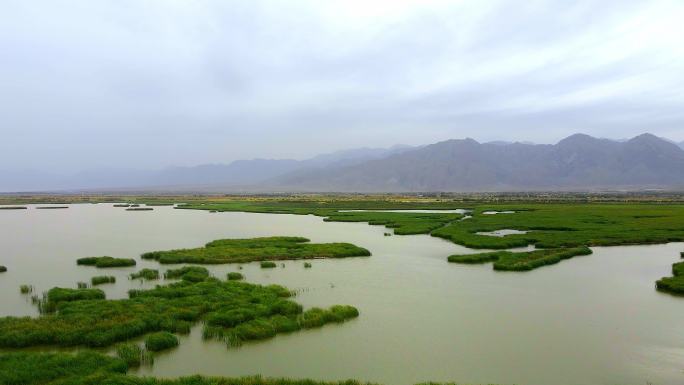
point(579, 163)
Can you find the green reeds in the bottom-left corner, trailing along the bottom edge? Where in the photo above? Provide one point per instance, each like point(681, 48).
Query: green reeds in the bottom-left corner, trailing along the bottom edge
point(91, 368)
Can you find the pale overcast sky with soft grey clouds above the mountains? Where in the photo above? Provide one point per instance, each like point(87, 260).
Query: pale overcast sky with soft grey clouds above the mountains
point(86, 84)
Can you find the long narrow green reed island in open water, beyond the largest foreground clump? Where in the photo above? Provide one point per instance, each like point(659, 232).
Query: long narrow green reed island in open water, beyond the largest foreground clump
point(257, 249)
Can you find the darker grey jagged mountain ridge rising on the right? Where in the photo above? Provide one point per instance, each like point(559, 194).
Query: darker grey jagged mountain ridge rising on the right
point(579, 162)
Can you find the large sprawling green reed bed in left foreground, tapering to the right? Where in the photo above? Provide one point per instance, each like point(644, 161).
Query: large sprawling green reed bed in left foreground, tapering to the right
point(229, 308)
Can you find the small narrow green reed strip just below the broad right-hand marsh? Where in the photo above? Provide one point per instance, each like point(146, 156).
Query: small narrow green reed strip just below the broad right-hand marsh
point(521, 261)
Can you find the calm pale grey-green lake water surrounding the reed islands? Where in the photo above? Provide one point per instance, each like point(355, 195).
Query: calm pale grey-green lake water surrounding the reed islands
point(590, 320)
